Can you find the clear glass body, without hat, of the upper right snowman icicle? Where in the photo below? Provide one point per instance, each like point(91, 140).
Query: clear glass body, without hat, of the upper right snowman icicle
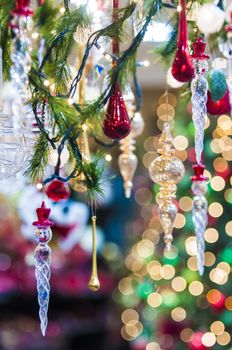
point(199, 87)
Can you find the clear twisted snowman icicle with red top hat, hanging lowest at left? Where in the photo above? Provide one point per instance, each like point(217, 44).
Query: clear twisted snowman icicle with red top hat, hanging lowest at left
point(42, 257)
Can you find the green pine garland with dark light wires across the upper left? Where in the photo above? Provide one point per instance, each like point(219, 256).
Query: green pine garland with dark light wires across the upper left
point(58, 31)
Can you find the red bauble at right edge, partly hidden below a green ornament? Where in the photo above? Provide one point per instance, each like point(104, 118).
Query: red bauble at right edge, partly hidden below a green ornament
point(221, 106)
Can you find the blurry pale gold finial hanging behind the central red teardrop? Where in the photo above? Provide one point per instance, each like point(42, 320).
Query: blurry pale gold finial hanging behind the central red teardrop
point(127, 160)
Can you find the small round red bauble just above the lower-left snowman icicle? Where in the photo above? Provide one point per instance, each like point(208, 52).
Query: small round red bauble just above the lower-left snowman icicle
point(57, 190)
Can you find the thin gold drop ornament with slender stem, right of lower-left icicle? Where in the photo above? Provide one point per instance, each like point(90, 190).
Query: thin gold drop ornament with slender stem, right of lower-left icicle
point(94, 283)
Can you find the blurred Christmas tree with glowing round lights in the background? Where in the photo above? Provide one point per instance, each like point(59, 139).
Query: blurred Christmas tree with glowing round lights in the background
point(167, 304)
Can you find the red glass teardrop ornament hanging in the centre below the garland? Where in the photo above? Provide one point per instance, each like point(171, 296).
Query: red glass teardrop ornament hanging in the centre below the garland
point(116, 124)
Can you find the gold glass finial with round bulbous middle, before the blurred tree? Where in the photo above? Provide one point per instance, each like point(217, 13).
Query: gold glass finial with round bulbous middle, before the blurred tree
point(166, 170)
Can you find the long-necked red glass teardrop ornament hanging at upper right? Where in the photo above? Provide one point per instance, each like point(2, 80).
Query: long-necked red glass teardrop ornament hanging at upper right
point(182, 67)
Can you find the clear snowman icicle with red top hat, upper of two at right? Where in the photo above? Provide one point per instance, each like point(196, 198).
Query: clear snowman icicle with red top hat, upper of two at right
point(199, 87)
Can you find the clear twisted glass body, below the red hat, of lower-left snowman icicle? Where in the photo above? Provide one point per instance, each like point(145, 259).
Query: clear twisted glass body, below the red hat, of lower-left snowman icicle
point(42, 257)
